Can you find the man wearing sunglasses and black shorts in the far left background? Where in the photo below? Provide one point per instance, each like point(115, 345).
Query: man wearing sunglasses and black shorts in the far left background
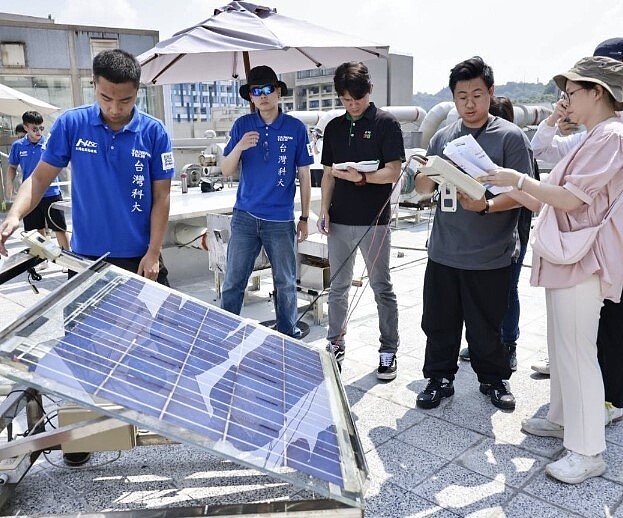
point(25, 154)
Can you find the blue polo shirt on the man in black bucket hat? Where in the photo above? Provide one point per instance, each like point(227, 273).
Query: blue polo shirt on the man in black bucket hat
point(268, 171)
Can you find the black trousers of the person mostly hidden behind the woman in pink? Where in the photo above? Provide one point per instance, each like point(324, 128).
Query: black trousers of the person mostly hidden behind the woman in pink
point(610, 350)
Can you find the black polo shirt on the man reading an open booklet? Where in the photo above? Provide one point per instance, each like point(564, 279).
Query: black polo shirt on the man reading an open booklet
point(375, 136)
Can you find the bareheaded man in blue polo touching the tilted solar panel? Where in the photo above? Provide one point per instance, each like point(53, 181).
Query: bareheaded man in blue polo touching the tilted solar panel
point(121, 169)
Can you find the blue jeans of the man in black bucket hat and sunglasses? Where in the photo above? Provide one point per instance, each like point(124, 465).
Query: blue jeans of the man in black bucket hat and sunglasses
point(248, 235)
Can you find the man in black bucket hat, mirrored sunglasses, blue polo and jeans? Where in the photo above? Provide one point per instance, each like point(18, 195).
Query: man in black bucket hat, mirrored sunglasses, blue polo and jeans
point(271, 148)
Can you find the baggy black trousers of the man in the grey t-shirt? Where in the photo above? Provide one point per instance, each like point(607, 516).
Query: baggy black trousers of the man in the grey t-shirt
point(479, 299)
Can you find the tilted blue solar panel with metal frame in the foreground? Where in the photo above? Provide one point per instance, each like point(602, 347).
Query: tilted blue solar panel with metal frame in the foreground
point(194, 373)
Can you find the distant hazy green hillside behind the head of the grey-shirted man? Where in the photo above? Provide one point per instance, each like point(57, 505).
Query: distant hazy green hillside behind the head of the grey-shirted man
point(520, 93)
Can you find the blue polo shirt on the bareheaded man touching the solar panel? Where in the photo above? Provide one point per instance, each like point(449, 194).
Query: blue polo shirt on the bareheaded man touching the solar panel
point(111, 178)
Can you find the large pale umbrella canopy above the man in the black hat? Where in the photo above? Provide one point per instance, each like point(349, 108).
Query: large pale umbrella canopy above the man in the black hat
point(242, 35)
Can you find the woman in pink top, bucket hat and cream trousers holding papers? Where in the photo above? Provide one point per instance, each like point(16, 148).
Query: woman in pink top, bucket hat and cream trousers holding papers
point(580, 190)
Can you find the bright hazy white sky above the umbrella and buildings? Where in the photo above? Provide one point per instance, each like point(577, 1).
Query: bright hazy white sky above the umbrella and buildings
point(523, 40)
